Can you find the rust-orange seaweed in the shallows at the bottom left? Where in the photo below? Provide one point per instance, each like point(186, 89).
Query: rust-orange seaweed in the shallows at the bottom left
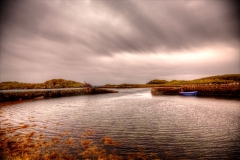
point(23, 142)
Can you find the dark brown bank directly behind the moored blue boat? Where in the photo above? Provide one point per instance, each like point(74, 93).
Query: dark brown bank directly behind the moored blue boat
point(228, 91)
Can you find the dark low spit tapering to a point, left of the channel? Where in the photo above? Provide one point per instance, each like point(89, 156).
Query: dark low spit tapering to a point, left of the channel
point(16, 96)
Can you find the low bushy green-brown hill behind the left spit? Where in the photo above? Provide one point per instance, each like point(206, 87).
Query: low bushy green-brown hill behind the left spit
point(54, 83)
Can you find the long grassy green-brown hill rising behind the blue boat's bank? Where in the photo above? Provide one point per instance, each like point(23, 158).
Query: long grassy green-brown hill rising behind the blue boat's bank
point(228, 79)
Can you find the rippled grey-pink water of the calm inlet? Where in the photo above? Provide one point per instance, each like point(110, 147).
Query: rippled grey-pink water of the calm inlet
point(170, 126)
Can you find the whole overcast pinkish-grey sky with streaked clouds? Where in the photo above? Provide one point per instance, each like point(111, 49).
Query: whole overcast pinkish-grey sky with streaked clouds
point(114, 42)
